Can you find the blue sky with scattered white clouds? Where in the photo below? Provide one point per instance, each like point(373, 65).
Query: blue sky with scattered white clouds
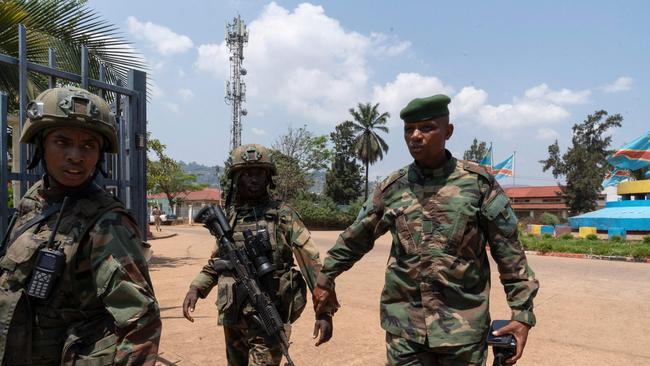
point(520, 74)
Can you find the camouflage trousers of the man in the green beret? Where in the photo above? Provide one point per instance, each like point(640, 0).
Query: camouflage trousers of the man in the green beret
point(402, 352)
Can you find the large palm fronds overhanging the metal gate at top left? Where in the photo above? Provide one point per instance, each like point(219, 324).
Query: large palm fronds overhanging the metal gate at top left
point(63, 25)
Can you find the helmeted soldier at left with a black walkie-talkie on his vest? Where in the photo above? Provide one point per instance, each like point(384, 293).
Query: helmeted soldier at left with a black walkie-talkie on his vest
point(74, 282)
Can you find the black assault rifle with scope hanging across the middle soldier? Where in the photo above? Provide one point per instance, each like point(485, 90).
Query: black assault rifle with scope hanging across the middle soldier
point(238, 262)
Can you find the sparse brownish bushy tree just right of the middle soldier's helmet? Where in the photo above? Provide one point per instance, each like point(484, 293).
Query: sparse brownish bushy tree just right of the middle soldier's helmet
point(291, 179)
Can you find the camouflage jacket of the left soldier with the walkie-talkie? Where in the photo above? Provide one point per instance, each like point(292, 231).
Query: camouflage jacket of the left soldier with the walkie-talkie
point(103, 307)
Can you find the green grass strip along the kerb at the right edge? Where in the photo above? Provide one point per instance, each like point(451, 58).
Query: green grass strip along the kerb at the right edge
point(596, 247)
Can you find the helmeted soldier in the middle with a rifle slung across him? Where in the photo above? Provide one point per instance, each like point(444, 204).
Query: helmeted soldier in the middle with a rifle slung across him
point(250, 168)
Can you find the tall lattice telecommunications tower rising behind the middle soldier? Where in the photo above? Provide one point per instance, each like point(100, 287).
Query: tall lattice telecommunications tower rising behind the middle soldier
point(236, 38)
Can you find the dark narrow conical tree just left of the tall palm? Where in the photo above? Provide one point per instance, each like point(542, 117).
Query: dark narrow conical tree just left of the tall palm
point(344, 178)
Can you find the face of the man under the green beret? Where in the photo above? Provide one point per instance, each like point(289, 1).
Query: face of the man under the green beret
point(426, 140)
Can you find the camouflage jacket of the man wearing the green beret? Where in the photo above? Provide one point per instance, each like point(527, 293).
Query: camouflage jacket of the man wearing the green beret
point(437, 282)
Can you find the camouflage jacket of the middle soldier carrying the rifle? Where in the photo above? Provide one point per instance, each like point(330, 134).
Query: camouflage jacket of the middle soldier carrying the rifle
point(289, 238)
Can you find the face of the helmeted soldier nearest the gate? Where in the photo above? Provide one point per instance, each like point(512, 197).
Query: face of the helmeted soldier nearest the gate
point(70, 155)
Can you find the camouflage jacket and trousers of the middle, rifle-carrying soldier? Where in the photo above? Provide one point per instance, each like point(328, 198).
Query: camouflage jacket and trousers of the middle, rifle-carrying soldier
point(246, 343)
